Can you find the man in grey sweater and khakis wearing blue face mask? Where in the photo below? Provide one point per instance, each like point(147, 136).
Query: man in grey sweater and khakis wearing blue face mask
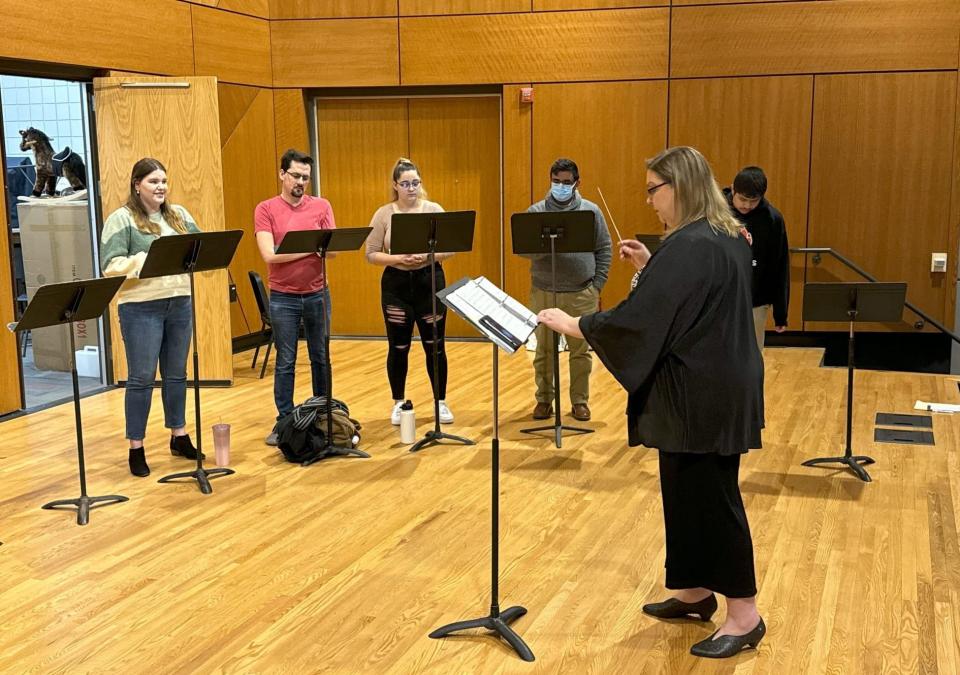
point(580, 277)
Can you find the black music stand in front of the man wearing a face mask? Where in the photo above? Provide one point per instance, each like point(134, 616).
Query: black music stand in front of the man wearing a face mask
point(554, 232)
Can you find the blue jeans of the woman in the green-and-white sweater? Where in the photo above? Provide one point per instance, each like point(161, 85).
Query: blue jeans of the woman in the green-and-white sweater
point(155, 331)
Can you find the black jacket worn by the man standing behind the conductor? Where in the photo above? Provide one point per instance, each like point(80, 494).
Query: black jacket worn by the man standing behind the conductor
point(771, 256)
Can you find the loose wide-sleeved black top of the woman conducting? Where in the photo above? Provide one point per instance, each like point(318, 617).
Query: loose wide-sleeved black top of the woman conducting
point(683, 346)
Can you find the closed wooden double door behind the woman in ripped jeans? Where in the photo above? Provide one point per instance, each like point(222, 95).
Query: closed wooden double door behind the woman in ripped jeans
point(455, 142)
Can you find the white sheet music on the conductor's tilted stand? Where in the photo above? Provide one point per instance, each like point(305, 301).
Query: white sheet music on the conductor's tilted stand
point(502, 319)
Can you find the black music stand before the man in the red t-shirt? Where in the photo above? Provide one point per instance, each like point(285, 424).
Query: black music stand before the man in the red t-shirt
point(320, 242)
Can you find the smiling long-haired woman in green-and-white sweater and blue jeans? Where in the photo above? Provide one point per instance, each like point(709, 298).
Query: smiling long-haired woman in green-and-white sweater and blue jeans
point(154, 313)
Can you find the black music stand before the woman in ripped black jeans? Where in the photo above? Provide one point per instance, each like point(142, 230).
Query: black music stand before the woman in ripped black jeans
point(432, 233)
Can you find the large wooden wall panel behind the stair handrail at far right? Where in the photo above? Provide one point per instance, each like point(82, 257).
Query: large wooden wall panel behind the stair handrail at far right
point(881, 177)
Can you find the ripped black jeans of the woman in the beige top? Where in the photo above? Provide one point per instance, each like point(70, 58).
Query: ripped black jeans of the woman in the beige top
point(405, 299)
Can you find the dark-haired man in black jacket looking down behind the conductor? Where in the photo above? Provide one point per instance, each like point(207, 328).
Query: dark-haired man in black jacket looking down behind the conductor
point(771, 258)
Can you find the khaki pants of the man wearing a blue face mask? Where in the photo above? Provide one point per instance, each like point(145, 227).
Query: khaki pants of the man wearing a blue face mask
point(576, 303)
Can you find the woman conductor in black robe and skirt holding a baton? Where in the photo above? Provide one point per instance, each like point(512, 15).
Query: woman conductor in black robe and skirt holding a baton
point(682, 345)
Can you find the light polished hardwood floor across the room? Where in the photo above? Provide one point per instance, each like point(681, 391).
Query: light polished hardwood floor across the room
point(347, 565)
